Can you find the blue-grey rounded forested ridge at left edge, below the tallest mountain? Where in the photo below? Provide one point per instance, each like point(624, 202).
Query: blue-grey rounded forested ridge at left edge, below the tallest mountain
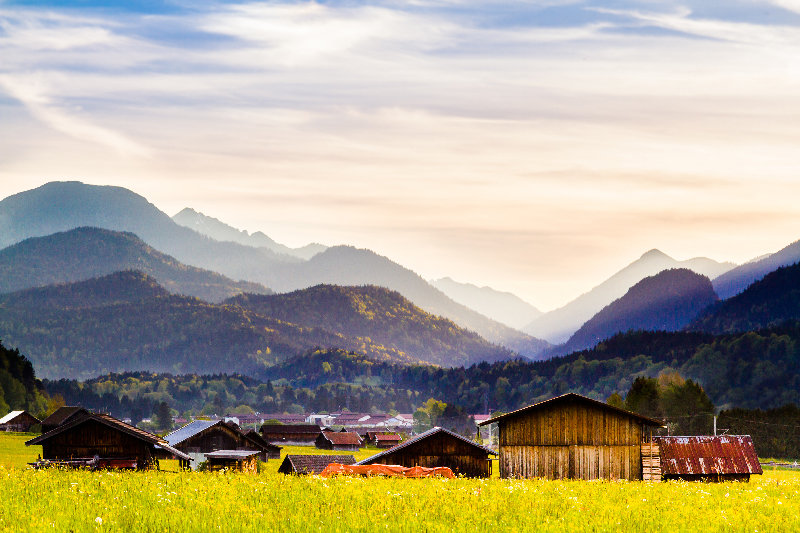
point(85, 253)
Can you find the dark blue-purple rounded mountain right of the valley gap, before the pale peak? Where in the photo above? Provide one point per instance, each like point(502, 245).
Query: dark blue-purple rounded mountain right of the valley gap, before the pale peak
point(667, 301)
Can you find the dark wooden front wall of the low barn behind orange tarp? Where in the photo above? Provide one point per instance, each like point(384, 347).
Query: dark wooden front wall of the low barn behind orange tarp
point(442, 450)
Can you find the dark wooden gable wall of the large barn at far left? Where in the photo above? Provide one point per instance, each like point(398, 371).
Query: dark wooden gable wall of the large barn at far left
point(93, 438)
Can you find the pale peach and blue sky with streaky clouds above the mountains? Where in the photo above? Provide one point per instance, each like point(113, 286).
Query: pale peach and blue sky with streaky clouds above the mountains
point(533, 146)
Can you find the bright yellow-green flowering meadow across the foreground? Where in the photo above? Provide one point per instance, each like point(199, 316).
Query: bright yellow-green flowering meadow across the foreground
point(190, 501)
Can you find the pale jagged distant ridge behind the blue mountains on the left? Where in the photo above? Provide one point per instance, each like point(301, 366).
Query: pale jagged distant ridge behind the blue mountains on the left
point(218, 230)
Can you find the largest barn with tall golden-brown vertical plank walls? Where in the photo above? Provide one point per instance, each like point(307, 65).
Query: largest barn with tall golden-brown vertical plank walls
point(572, 437)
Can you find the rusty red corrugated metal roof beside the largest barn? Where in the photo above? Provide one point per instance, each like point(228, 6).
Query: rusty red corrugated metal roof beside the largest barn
point(724, 454)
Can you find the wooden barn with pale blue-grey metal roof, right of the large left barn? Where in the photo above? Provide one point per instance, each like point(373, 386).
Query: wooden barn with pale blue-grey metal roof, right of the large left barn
point(204, 436)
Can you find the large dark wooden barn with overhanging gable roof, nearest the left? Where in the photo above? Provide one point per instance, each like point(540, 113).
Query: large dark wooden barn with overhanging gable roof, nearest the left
point(100, 440)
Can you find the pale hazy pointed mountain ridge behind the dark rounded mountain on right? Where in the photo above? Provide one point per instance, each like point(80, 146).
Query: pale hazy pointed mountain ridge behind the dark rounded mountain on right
point(558, 325)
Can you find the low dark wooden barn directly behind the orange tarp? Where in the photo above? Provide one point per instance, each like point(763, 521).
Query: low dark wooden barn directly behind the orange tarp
point(438, 447)
